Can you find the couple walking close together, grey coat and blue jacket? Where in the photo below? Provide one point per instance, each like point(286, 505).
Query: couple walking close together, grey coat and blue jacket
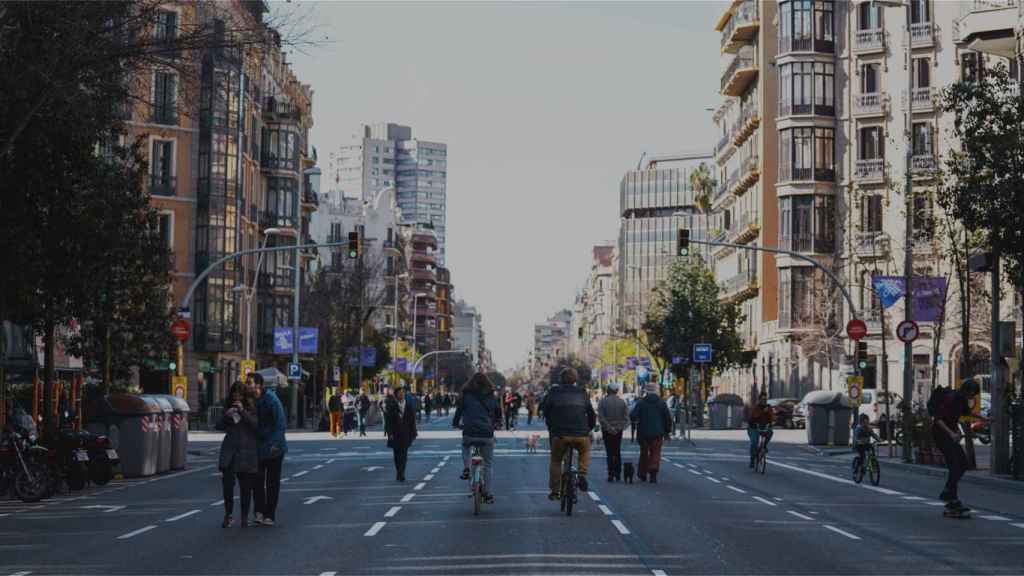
point(253, 450)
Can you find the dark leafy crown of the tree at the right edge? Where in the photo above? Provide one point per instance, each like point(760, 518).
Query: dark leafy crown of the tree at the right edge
point(988, 188)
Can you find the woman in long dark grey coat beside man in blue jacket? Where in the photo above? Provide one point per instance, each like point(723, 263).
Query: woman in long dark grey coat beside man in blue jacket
point(239, 458)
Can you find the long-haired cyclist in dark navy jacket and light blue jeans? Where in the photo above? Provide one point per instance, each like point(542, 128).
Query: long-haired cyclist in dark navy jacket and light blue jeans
point(479, 415)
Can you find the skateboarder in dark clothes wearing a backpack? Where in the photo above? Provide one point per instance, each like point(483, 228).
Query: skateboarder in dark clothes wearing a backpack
point(947, 407)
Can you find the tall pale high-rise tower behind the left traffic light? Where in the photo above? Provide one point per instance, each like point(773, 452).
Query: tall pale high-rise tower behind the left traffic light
point(388, 155)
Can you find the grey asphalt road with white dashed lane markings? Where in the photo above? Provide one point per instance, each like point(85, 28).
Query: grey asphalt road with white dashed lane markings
point(343, 513)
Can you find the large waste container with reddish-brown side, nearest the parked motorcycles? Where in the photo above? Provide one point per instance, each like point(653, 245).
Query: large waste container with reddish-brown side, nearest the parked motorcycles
point(135, 433)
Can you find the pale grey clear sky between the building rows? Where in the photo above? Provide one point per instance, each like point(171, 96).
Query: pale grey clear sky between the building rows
point(543, 106)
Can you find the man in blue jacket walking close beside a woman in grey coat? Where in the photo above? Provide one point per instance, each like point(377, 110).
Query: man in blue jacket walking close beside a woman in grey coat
point(273, 448)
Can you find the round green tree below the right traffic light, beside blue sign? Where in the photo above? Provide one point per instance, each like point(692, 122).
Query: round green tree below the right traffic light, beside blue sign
point(687, 311)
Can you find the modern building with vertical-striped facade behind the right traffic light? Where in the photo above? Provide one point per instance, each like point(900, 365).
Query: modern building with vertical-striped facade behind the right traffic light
point(655, 203)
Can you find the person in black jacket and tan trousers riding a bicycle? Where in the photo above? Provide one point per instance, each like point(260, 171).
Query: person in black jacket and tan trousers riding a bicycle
point(570, 417)
